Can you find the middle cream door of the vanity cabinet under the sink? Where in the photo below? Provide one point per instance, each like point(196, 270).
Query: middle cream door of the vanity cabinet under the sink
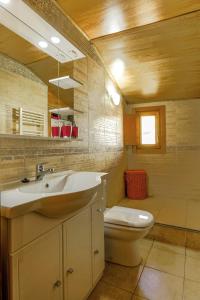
point(77, 256)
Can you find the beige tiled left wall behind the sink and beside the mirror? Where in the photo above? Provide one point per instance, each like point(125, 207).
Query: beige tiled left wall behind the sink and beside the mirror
point(101, 131)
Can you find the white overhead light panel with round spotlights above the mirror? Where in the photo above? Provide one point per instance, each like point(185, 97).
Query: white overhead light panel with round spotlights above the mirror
point(21, 19)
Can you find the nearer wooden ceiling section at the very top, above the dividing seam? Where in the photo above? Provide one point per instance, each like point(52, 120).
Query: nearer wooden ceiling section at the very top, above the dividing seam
point(102, 17)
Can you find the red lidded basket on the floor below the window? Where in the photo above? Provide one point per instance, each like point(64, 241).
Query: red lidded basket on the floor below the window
point(136, 184)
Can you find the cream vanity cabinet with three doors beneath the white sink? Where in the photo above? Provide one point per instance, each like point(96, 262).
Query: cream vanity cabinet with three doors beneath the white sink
point(65, 262)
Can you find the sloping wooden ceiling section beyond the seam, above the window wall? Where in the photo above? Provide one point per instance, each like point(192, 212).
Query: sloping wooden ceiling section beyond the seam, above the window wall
point(161, 60)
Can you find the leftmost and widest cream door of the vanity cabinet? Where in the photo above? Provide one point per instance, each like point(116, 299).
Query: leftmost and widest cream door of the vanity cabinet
point(36, 271)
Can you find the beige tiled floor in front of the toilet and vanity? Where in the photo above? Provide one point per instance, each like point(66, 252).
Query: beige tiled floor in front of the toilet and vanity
point(167, 273)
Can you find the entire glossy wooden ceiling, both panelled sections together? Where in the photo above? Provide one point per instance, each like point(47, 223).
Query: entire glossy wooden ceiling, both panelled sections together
point(151, 47)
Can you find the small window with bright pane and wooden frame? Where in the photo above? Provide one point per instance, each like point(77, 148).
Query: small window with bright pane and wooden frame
point(150, 129)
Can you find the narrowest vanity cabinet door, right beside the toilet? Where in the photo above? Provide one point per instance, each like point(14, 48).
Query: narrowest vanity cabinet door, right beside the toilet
point(97, 241)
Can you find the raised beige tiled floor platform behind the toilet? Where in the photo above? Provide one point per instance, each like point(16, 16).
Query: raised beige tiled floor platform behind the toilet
point(174, 211)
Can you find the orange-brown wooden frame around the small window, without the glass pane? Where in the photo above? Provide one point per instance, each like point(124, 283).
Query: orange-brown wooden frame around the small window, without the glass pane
point(159, 112)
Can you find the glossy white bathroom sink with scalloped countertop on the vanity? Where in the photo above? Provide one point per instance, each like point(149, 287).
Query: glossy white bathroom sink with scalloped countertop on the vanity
point(55, 196)
